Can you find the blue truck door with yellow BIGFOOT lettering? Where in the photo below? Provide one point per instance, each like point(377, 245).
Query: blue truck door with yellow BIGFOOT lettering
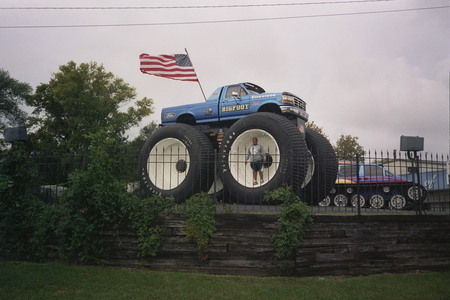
point(233, 107)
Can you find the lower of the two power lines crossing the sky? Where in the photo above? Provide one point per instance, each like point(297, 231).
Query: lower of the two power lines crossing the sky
point(219, 21)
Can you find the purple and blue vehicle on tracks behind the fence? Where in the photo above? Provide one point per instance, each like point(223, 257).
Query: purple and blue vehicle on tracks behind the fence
point(373, 186)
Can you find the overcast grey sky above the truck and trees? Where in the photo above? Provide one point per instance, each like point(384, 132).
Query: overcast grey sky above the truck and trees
point(371, 69)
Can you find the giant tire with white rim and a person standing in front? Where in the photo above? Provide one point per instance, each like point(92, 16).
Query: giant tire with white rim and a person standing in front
point(281, 140)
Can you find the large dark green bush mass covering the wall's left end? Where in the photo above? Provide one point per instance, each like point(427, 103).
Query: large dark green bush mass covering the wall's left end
point(95, 203)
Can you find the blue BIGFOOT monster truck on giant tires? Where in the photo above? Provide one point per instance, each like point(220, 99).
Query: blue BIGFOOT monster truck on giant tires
point(203, 147)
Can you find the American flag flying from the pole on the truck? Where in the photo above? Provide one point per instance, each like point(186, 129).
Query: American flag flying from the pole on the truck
point(176, 66)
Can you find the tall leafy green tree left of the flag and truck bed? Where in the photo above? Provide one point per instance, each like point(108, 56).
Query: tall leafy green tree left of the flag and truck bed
point(81, 100)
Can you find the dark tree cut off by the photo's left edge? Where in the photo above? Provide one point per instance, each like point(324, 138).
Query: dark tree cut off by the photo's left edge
point(12, 94)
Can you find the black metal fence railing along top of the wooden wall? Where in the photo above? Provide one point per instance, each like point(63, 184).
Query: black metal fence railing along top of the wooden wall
point(378, 182)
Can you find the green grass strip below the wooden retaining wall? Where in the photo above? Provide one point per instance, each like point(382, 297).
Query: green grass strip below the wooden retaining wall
point(61, 281)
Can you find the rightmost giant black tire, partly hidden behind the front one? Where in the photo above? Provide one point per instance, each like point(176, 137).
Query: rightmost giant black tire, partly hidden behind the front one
point(325, 168)
